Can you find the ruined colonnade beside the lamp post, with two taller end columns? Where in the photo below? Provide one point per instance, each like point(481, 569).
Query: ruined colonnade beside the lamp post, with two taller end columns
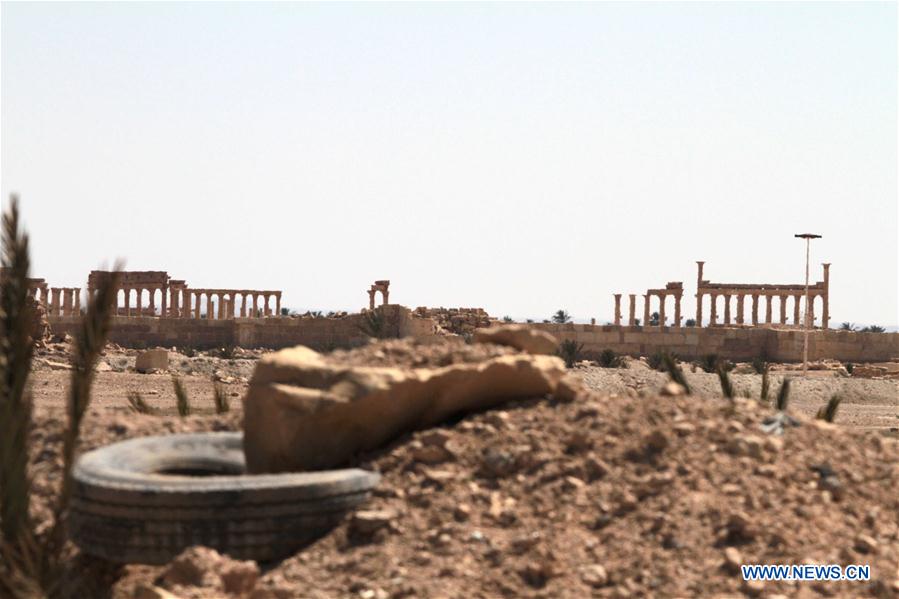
point(730, 294)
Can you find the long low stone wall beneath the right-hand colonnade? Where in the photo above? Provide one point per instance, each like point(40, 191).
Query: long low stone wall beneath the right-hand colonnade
point(731, 343)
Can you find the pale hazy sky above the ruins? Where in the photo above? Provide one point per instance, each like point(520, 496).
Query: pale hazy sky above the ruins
point(519, 157)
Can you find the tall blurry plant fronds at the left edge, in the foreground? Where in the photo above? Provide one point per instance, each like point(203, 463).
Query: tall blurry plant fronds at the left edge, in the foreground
point(31, 554)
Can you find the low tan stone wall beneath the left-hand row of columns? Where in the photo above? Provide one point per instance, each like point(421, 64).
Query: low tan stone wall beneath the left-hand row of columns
point(274, 333)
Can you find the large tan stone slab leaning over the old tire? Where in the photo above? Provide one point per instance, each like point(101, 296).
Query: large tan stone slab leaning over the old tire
point(303, 412)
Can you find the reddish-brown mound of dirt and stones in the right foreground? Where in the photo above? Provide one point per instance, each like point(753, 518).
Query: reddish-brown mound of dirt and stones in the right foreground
point(609, 496)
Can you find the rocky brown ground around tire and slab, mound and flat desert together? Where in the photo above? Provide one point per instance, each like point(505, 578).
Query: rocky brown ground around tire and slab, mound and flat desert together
point(621, 492)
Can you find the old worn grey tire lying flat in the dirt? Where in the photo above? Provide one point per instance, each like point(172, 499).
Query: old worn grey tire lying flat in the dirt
point(144, 500)
